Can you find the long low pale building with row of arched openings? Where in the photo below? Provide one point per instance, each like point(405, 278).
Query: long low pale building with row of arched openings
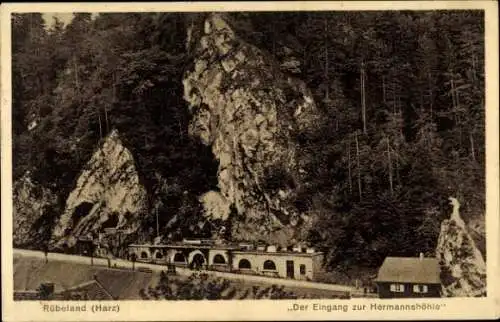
point(299, 263)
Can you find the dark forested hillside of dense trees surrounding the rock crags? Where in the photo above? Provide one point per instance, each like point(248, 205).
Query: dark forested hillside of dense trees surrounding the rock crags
point(401, 97)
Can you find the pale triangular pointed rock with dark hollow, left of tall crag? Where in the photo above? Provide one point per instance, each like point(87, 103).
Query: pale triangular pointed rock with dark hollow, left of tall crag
point(107, 195)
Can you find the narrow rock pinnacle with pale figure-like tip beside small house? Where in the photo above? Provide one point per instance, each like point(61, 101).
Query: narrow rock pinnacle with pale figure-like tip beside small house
point(463, 269)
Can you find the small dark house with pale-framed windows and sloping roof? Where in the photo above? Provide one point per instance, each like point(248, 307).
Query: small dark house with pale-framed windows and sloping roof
point(407, 277)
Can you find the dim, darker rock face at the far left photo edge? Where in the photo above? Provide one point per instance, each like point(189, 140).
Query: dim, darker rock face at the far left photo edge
point(31, 202)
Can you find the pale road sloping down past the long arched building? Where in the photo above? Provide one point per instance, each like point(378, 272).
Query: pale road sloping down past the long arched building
point(121, 263)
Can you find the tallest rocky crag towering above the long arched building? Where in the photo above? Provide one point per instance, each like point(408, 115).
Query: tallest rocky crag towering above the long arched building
point(250, 113)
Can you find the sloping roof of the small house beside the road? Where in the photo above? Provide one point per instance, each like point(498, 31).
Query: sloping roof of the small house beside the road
point(409, 270)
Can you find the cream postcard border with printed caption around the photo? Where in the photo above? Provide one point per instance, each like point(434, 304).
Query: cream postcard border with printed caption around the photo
point(465, 308)
